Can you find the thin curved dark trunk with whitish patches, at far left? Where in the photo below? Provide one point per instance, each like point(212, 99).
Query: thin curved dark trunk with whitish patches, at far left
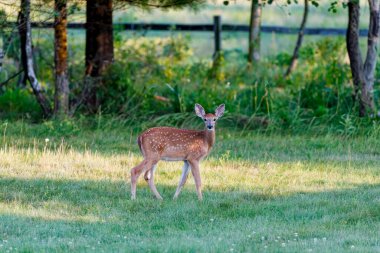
point(26, 48)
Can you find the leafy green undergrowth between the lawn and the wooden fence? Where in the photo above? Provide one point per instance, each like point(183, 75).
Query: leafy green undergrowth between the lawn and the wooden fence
point(157, 80)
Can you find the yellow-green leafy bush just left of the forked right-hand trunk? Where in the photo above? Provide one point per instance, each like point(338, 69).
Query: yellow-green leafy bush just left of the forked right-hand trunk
point(326, 88)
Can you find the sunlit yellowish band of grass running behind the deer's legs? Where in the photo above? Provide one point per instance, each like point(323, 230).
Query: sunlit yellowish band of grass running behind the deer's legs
point(335, 172)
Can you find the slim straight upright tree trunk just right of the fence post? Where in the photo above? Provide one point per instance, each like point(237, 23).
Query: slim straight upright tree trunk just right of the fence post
point(254, 32)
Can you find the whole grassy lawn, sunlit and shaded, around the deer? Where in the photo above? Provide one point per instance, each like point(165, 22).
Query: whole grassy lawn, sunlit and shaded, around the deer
point(261, 194)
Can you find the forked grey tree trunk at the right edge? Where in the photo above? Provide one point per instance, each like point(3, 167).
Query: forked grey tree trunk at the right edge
point(363, 74)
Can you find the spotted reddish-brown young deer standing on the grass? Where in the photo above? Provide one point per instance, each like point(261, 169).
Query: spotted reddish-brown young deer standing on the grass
point(173, 144)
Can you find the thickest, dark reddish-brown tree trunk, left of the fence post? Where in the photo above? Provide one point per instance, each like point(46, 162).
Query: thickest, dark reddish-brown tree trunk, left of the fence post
point(99, 45)
